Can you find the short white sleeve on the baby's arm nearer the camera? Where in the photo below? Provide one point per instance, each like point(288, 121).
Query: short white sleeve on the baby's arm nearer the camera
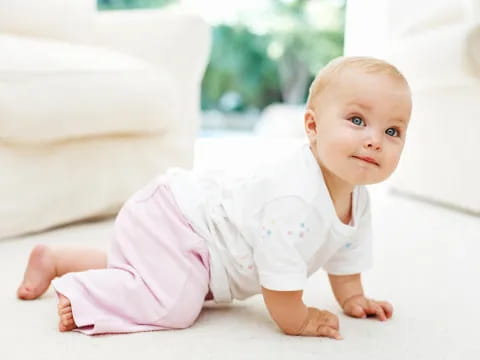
point(278, 251)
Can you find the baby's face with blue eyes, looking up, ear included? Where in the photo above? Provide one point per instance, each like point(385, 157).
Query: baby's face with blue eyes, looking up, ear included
point(358, 126)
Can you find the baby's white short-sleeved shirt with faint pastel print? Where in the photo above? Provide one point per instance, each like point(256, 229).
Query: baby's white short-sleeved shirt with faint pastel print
point(273, 228)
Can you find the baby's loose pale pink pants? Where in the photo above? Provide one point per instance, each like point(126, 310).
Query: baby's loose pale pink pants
point(157, 275)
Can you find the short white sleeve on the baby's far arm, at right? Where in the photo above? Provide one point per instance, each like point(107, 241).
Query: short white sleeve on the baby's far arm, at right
point(356, 255)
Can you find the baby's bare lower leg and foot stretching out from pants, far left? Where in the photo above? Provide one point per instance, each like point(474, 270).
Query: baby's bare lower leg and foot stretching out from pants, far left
point(46, 263)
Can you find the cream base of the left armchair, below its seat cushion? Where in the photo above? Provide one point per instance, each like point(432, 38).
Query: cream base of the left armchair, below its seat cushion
point(48, 185)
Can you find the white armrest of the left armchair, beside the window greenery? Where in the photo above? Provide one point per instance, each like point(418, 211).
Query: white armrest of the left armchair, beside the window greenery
point(177, 41)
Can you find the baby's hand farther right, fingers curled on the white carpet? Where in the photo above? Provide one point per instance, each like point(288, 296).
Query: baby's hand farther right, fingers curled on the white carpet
point(360, 307)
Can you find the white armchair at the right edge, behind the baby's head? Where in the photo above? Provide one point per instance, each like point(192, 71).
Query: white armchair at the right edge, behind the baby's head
point(436, 44)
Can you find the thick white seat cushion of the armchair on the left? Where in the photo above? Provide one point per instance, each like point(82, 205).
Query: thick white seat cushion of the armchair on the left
point(111, 92)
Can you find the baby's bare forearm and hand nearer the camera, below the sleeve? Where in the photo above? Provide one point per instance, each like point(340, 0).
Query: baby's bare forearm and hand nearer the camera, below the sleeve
point(294, 318)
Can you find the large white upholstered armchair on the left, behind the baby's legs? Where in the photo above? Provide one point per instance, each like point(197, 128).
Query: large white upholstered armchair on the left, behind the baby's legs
point(92, 105)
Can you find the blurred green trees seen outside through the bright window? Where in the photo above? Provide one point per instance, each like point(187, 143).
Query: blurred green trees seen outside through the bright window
point(265, 57)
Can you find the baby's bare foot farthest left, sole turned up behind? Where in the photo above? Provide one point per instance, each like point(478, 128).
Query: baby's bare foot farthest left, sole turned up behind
point(38, 275)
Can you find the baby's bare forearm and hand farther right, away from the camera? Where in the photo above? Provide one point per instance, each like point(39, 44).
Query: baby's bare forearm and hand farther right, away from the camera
point(348, 291)
